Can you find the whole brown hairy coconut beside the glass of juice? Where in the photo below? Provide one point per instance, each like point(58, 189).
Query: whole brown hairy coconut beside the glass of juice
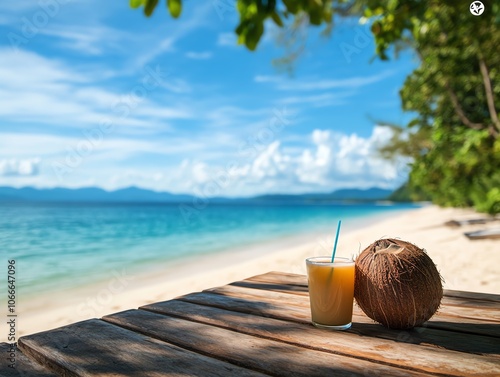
point(397, 284)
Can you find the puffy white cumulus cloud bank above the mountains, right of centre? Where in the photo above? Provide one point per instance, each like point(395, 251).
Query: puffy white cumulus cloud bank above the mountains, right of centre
point(334, 160)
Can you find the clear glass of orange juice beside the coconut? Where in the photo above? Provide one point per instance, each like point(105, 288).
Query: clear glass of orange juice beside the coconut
point(331, 291)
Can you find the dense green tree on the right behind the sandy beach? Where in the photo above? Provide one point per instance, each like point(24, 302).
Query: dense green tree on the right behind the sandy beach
point(455, 92)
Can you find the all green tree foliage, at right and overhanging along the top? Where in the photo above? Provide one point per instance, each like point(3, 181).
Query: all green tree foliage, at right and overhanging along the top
point(455, 138)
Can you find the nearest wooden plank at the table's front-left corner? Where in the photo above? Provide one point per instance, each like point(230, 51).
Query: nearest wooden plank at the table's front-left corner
point(98, 348)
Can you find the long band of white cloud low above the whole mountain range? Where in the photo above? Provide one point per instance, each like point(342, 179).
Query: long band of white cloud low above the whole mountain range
point(330, 161)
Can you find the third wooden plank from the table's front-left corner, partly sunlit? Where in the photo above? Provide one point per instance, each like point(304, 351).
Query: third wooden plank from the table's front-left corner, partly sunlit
point(417, 354)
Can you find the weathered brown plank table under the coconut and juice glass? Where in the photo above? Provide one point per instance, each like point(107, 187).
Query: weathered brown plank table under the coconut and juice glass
point(261, 326)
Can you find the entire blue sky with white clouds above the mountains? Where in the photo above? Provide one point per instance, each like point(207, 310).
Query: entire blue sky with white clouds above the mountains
point(95, 94)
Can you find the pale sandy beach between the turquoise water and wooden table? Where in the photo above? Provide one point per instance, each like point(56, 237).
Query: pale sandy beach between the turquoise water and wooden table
point(464, 265)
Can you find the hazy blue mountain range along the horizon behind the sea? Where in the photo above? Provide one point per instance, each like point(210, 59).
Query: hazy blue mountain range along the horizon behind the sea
point(135, 194)
